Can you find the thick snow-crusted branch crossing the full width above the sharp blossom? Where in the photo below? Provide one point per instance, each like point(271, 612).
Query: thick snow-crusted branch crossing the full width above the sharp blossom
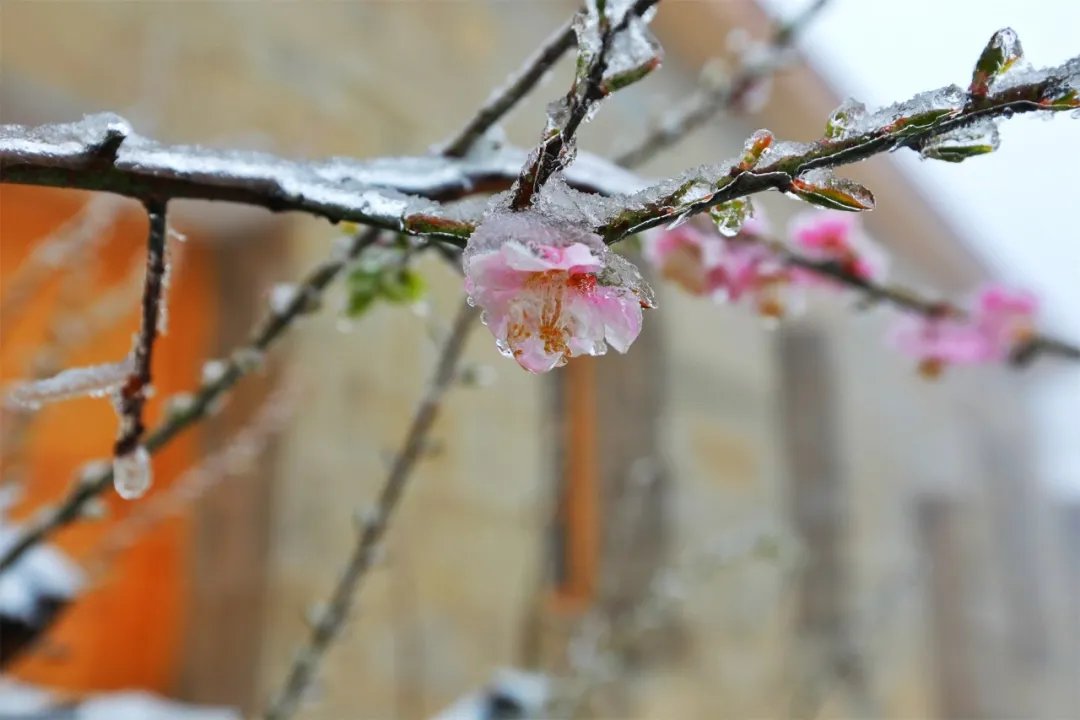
point(947, 124)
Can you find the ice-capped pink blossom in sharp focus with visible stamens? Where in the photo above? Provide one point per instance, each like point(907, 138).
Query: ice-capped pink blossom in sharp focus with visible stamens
point(551, 292)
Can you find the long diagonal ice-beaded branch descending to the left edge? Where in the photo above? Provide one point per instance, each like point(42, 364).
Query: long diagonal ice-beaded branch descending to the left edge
point(199, 405)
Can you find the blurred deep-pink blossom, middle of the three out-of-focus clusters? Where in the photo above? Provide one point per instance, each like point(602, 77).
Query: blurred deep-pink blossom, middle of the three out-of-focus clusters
point(832, 236)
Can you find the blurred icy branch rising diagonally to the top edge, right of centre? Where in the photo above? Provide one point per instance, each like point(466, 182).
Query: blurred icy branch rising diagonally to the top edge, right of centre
point(728, 96)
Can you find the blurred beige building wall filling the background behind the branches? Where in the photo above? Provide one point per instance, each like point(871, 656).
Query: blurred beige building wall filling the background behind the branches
point(821, 533)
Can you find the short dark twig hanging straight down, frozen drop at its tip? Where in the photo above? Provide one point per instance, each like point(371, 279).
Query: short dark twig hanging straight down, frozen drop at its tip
point(134, 392)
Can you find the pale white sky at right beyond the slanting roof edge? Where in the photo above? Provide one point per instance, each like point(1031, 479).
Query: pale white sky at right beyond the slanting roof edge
point(1025, 224)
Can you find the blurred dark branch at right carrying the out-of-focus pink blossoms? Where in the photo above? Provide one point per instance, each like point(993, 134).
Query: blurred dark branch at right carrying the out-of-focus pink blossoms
point(914, 303)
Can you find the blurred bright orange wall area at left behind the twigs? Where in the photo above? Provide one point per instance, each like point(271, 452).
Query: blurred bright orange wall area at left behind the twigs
point(126, 631)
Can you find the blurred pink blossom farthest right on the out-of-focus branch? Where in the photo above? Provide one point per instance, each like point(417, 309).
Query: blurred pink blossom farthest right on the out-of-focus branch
point(1000, 321)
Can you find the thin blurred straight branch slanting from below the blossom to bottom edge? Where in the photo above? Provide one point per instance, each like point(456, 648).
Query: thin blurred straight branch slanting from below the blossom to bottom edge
point(328, 626)
